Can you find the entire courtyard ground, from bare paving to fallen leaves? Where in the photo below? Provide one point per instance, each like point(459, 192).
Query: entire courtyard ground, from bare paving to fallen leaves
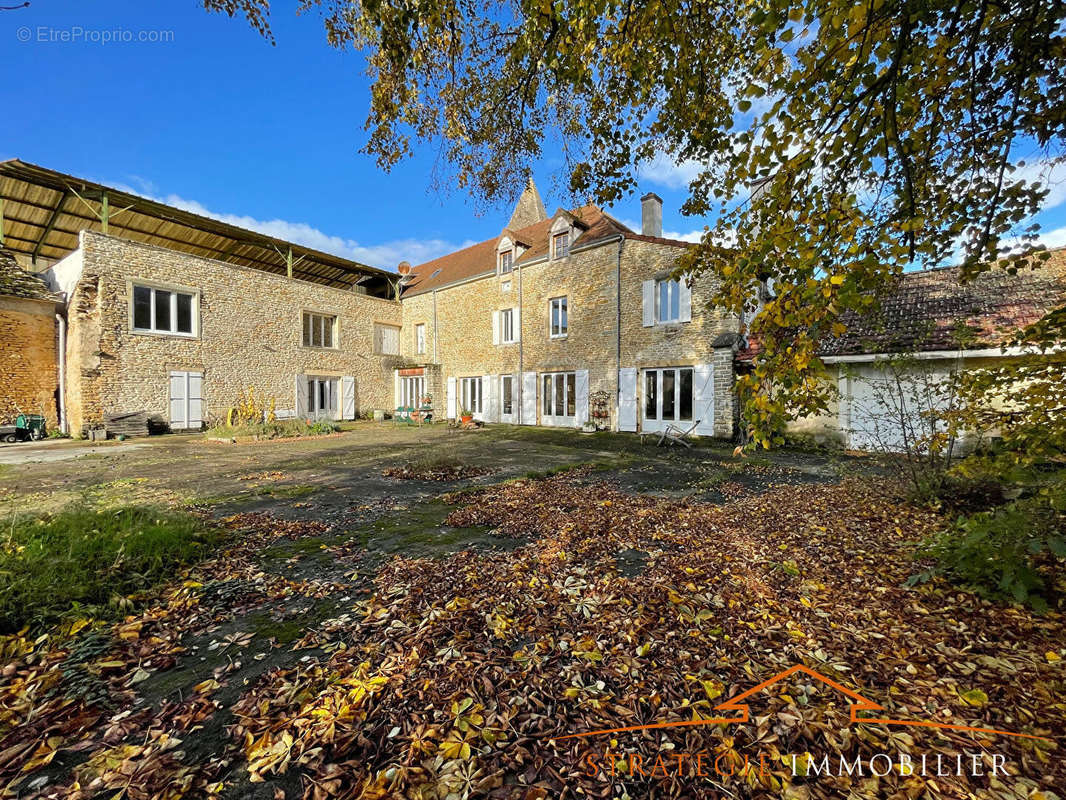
point(361, 635)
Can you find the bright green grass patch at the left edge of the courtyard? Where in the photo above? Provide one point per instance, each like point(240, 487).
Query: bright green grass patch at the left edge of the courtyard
point(82, 562)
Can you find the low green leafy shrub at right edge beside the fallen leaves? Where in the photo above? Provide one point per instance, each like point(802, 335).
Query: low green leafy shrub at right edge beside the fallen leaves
point(1008, 553)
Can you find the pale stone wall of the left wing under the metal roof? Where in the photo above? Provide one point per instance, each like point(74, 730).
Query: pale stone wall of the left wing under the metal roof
point(250, 335)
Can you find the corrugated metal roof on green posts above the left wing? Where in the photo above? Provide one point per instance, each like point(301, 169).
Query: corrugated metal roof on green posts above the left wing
point(44, 212)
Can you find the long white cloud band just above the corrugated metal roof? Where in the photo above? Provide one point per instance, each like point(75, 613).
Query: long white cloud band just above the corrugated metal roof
point(385, 255)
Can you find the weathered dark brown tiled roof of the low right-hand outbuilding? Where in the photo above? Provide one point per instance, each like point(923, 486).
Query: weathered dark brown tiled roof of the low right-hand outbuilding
point(931, 311)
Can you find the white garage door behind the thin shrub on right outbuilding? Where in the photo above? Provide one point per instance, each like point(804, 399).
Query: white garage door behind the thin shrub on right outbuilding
point(889, 409)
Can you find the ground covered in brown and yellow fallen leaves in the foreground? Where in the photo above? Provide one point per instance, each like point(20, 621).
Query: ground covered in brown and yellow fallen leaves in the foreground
point(450, 678)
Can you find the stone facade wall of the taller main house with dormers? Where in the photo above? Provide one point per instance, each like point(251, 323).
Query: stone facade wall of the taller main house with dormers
point(589, 279)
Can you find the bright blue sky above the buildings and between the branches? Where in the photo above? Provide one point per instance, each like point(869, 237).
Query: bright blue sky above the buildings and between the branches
point(216, 120)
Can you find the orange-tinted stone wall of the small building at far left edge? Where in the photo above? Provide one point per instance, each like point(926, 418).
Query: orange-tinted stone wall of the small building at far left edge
point(28, 359)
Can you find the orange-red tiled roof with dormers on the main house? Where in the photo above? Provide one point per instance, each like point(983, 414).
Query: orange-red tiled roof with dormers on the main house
point(480, 260)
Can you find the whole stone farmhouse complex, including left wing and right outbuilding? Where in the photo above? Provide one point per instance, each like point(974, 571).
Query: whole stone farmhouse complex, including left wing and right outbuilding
point(114, 305)
